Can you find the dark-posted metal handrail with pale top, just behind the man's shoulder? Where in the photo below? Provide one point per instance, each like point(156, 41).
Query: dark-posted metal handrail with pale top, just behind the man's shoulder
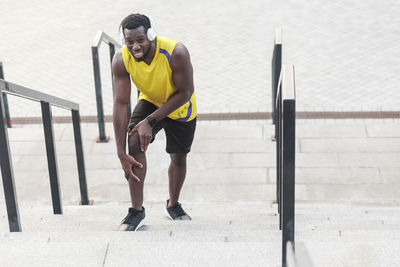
point(98, 39)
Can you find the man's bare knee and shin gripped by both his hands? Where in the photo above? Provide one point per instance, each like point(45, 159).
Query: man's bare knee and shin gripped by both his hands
point(135, 187)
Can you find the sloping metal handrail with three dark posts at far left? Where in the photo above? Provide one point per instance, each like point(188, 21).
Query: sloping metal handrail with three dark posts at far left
point(5, 156)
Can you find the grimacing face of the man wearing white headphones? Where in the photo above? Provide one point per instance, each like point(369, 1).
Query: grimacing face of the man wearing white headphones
point(137, 42)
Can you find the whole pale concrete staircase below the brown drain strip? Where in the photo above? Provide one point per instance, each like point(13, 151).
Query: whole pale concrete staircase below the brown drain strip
point(230, 186)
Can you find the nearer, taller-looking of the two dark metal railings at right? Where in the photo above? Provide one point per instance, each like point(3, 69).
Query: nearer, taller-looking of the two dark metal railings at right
point(286, 139)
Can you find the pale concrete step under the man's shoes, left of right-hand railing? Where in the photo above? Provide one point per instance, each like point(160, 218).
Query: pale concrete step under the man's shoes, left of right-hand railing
point(105, 217)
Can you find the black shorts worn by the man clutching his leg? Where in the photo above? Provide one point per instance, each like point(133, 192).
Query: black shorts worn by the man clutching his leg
point(179, 134)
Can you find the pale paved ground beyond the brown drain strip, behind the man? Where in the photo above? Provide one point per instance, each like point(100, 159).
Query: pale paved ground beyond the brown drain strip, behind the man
point(345, 52)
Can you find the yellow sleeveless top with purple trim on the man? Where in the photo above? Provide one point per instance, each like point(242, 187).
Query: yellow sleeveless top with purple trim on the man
point(154, 81)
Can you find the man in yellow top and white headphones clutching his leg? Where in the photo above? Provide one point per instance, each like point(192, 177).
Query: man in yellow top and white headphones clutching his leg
point(162, 72)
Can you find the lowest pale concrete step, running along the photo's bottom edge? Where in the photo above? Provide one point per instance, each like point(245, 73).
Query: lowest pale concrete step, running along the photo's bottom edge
point(152, 248)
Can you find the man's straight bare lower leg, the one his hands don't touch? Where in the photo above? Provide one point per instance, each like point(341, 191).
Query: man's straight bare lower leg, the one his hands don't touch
point(177, 174)
